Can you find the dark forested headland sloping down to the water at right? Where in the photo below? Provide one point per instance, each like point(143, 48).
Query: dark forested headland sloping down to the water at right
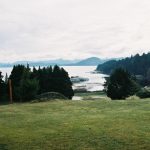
point(137, 65)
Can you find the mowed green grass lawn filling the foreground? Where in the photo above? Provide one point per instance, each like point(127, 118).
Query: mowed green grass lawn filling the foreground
point(71, 125)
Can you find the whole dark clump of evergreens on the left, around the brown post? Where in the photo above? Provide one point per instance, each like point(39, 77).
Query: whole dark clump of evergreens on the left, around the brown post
point(27, 83)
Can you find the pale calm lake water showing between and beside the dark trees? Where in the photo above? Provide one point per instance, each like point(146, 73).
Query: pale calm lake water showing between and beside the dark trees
point(95, 82)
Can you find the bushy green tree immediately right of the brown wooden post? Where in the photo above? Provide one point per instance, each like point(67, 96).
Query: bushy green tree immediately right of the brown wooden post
point(23, 86)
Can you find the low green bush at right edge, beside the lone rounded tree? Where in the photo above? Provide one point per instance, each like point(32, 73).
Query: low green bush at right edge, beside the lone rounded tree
point(144, 93)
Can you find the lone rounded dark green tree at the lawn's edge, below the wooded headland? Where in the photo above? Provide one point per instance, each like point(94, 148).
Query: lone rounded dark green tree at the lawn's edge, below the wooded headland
point(120, 85)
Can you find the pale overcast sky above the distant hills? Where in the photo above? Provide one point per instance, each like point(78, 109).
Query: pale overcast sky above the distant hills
point(73, 29)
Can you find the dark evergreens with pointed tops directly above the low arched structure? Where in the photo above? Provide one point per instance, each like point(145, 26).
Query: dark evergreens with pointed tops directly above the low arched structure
point(54, 79)
